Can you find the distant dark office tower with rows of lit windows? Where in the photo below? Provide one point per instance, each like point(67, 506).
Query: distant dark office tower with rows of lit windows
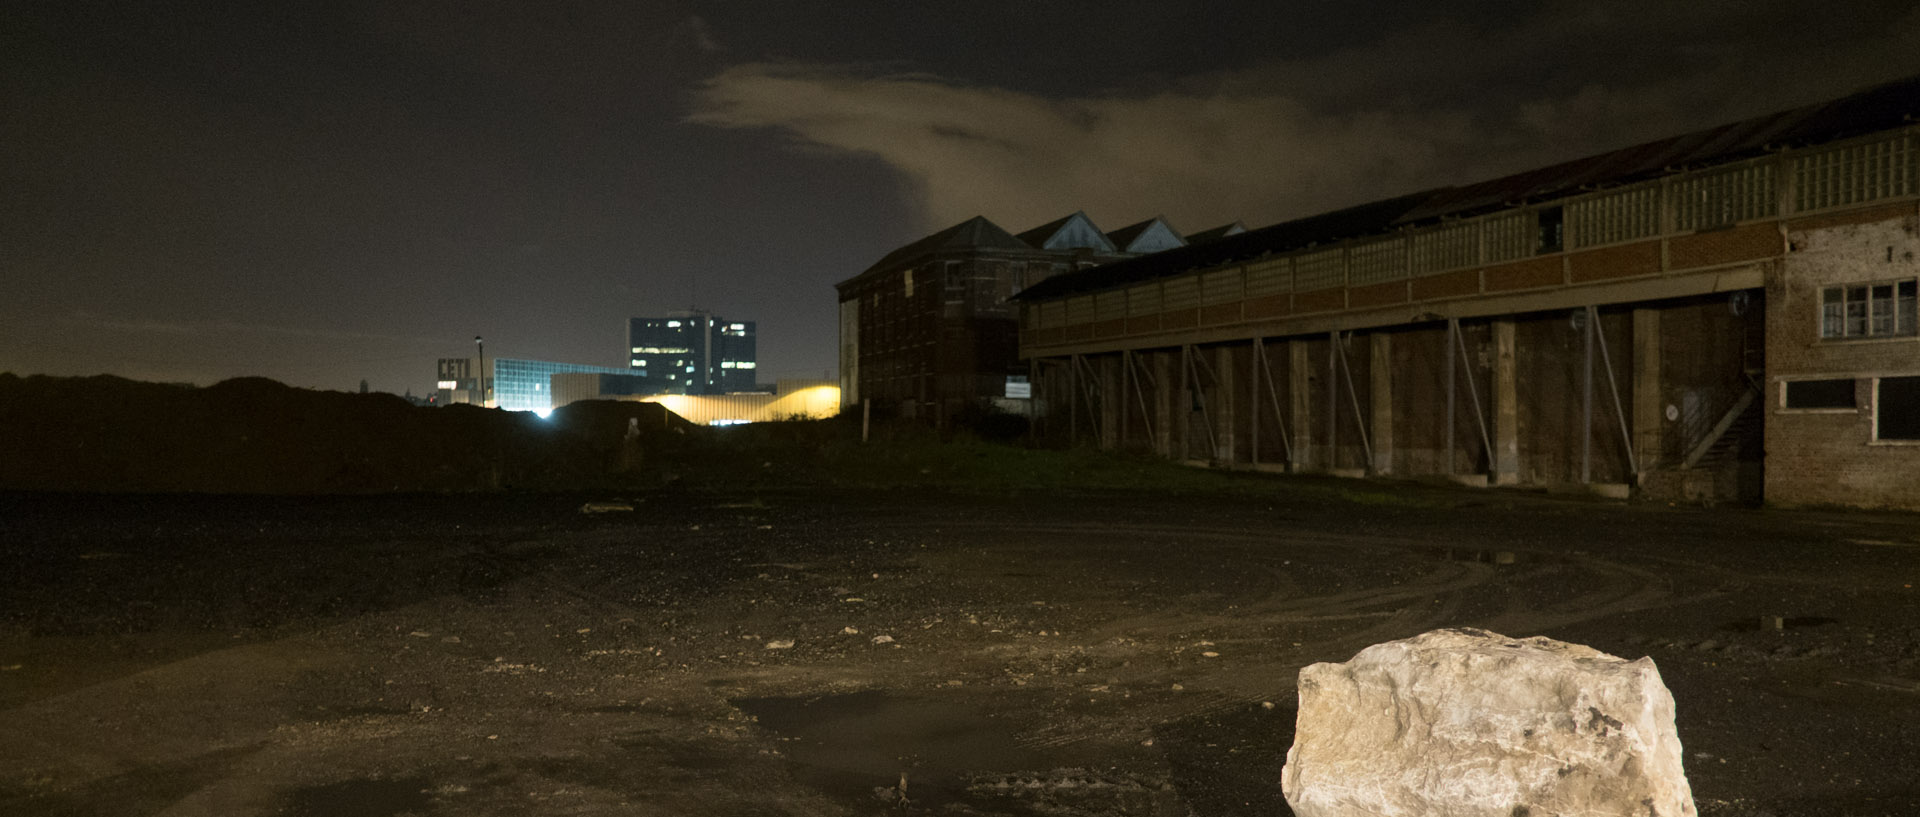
point(694, 354)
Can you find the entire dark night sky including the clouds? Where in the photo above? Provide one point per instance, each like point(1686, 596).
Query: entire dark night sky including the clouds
point(339, 191)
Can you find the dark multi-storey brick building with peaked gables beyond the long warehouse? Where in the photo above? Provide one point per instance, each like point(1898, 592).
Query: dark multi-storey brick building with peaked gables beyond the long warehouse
point(930, 331)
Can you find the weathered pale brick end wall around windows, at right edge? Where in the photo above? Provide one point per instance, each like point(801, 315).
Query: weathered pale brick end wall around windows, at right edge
point(1831, 457)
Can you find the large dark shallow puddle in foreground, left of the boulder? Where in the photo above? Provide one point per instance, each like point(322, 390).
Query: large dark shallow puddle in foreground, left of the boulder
point(855, 747)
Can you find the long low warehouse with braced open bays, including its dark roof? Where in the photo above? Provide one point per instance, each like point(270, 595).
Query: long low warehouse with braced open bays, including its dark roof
point(1717, 315)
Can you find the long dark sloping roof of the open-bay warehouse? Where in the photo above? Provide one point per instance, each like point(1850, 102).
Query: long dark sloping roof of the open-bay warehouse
point(1881, 108)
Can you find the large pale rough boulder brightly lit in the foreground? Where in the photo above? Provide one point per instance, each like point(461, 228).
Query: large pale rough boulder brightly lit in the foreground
point(1466, 722)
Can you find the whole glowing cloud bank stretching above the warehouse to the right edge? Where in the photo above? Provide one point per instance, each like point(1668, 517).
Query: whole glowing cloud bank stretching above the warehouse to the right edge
point(1418, 108)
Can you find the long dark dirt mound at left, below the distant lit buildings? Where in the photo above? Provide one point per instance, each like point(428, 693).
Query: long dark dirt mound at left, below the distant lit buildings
point(260, 436)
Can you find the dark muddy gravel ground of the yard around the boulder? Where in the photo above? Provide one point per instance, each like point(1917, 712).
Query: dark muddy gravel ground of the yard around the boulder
point(821, 653)
